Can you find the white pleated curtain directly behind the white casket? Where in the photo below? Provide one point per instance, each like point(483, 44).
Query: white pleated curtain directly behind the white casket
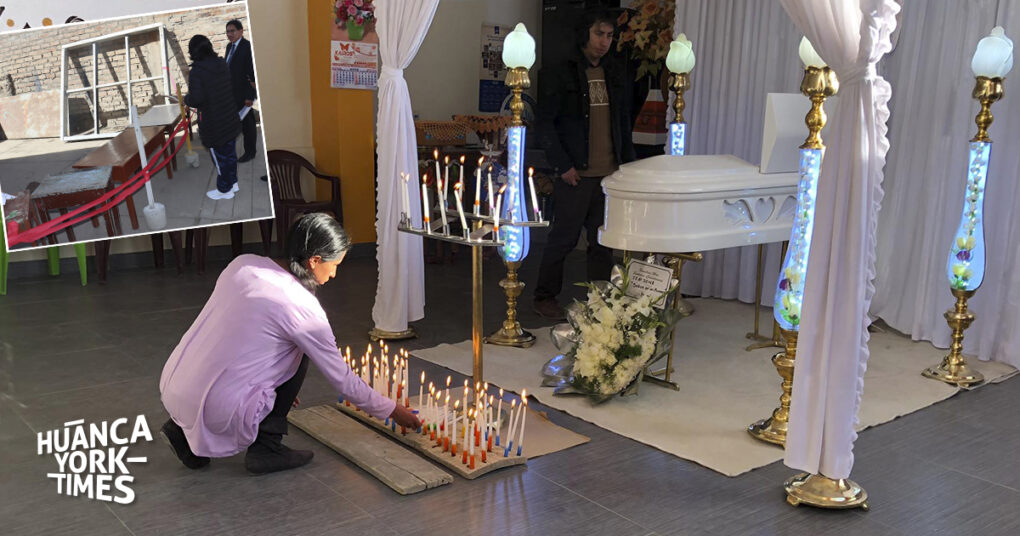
point(745, 50)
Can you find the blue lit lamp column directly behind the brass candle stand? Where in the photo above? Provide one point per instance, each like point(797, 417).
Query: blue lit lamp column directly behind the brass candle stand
point(519, 56)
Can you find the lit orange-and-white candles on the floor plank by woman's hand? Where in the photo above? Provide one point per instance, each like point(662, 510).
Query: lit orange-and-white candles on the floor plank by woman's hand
point(448, 426)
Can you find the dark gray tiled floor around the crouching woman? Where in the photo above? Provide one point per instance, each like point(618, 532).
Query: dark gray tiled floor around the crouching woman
point(96, 353)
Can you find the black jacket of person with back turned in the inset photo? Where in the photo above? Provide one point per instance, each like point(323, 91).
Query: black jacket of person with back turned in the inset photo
point(210, 92)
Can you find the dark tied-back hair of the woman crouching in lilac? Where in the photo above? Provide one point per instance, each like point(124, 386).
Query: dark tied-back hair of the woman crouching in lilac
point(318, 234)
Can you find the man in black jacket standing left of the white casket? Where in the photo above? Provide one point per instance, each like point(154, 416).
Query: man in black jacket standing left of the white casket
point(585, 127)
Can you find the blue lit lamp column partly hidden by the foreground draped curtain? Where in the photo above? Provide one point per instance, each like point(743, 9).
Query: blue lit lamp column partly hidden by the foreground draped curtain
point(820, 83)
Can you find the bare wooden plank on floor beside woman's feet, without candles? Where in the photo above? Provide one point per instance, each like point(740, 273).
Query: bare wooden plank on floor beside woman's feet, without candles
point(393, 465)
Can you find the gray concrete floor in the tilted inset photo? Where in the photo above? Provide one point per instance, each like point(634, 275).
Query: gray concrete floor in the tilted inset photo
point(23, 162)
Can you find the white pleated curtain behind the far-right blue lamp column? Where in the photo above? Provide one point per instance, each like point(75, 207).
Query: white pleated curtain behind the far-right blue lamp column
point(931, 69)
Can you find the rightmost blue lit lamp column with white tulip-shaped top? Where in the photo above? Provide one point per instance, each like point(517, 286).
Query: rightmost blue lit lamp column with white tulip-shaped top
point(965, 268)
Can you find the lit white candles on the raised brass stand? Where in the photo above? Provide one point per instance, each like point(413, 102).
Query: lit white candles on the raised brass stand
point(442, 188)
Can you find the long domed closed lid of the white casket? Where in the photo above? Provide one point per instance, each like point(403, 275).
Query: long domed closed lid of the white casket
point(691, 175)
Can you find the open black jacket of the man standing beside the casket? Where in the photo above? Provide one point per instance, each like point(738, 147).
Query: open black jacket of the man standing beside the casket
point(563, 118)
